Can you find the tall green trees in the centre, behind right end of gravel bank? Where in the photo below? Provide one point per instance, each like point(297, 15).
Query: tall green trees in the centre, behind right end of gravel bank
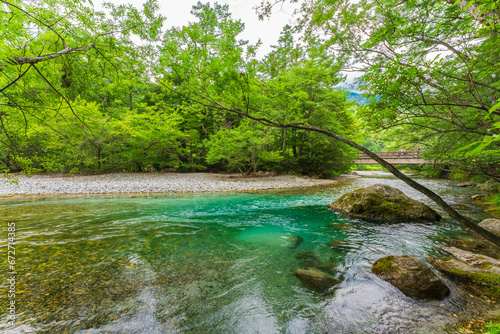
point(287, 87)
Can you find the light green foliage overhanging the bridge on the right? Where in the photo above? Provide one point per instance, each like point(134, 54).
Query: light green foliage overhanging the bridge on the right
point(430, 70)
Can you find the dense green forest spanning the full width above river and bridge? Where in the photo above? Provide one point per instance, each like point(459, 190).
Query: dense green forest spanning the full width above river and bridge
point(87, 91)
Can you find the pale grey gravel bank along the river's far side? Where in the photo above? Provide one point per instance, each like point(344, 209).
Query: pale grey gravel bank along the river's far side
point(150, 183)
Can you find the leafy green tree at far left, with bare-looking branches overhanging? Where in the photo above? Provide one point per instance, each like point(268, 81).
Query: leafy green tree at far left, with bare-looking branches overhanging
point(61, 55)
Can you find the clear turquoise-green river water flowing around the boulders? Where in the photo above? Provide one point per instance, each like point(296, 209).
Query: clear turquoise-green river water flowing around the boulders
point(216, 263)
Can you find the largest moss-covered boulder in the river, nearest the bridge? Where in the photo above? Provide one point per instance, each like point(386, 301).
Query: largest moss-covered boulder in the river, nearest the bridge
point(383, 203)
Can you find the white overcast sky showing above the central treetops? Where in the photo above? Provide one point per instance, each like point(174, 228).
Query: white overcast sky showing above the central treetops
point(178, 13)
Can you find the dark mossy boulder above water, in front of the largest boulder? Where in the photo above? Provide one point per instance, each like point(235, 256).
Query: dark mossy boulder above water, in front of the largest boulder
point(411, 277)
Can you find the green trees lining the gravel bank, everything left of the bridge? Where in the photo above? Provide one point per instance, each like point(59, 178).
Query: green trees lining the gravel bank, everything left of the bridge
point(98, 102)
